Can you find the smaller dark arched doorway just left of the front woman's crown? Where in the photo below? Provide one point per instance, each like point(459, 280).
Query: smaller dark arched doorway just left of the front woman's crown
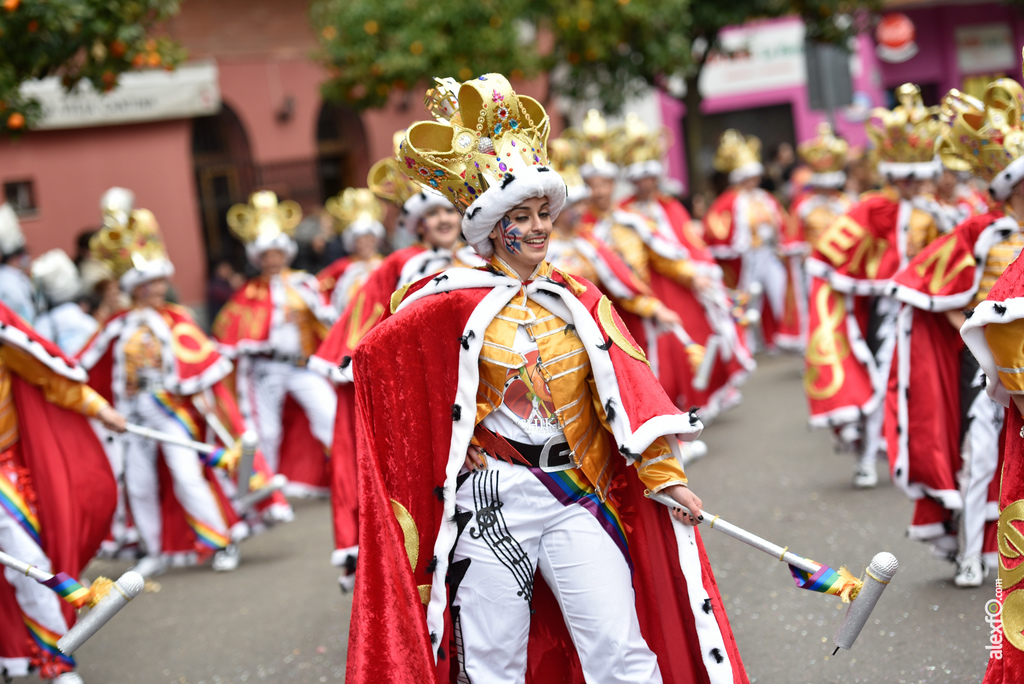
point(342, 146)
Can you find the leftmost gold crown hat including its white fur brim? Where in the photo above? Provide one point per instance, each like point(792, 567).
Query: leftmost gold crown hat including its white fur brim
point(131, 246)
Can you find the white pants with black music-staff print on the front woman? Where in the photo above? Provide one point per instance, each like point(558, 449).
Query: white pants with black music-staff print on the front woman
point(518, 527)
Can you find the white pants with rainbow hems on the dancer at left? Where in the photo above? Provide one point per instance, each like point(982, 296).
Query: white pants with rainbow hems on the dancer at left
point(191, 488)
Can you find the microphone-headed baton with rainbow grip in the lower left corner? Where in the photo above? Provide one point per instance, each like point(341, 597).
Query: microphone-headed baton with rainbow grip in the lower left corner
point(106, 598)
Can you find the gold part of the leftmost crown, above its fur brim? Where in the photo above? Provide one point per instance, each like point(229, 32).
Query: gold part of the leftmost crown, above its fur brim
point(122, 246)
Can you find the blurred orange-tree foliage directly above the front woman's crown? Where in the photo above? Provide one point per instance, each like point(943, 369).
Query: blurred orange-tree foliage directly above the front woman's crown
point(373, 49)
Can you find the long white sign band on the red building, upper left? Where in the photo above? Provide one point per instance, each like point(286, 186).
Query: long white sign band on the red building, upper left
point(191, 91)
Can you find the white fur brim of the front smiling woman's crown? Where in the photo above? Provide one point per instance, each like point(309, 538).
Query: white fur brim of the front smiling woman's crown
point(535, 182)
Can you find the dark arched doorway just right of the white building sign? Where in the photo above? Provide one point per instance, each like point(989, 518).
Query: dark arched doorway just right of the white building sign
point(225, 176)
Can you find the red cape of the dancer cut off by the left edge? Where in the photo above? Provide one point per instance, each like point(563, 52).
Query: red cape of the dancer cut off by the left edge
point(75, 491)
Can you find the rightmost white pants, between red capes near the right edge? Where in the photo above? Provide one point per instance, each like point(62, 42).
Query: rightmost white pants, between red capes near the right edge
point(980, 452)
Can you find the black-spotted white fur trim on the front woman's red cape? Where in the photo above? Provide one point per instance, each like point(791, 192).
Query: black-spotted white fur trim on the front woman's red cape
point(564, 305)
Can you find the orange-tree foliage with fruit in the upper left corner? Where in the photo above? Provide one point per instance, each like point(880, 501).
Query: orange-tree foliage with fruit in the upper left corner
point(78, 40)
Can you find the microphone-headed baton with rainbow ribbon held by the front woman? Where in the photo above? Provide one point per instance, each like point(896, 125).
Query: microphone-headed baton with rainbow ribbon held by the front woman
point(862, 594)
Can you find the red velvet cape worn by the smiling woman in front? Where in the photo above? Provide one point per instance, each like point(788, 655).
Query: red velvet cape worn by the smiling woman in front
point(408, 402)
